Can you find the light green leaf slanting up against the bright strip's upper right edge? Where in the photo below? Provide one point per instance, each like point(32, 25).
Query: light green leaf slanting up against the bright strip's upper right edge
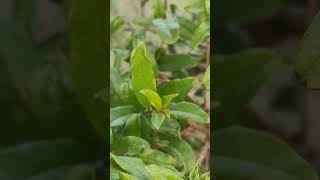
point(200, 34)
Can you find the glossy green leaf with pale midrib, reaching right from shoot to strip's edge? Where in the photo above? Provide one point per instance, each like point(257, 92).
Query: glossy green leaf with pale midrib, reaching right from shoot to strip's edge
point(189, 111)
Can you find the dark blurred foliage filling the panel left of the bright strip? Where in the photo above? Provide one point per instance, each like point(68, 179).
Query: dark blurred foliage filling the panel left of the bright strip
point(46, 130)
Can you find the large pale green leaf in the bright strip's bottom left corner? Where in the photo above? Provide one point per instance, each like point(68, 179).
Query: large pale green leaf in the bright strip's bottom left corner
point(132, 165)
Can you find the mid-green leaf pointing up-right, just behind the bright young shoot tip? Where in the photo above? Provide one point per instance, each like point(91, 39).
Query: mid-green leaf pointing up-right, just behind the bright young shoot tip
point(177, 86)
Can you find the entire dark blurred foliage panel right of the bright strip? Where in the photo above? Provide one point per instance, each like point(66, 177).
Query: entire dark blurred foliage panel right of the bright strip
point(266, 122)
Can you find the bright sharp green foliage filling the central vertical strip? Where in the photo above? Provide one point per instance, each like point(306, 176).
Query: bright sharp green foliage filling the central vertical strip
point(148, 111)
